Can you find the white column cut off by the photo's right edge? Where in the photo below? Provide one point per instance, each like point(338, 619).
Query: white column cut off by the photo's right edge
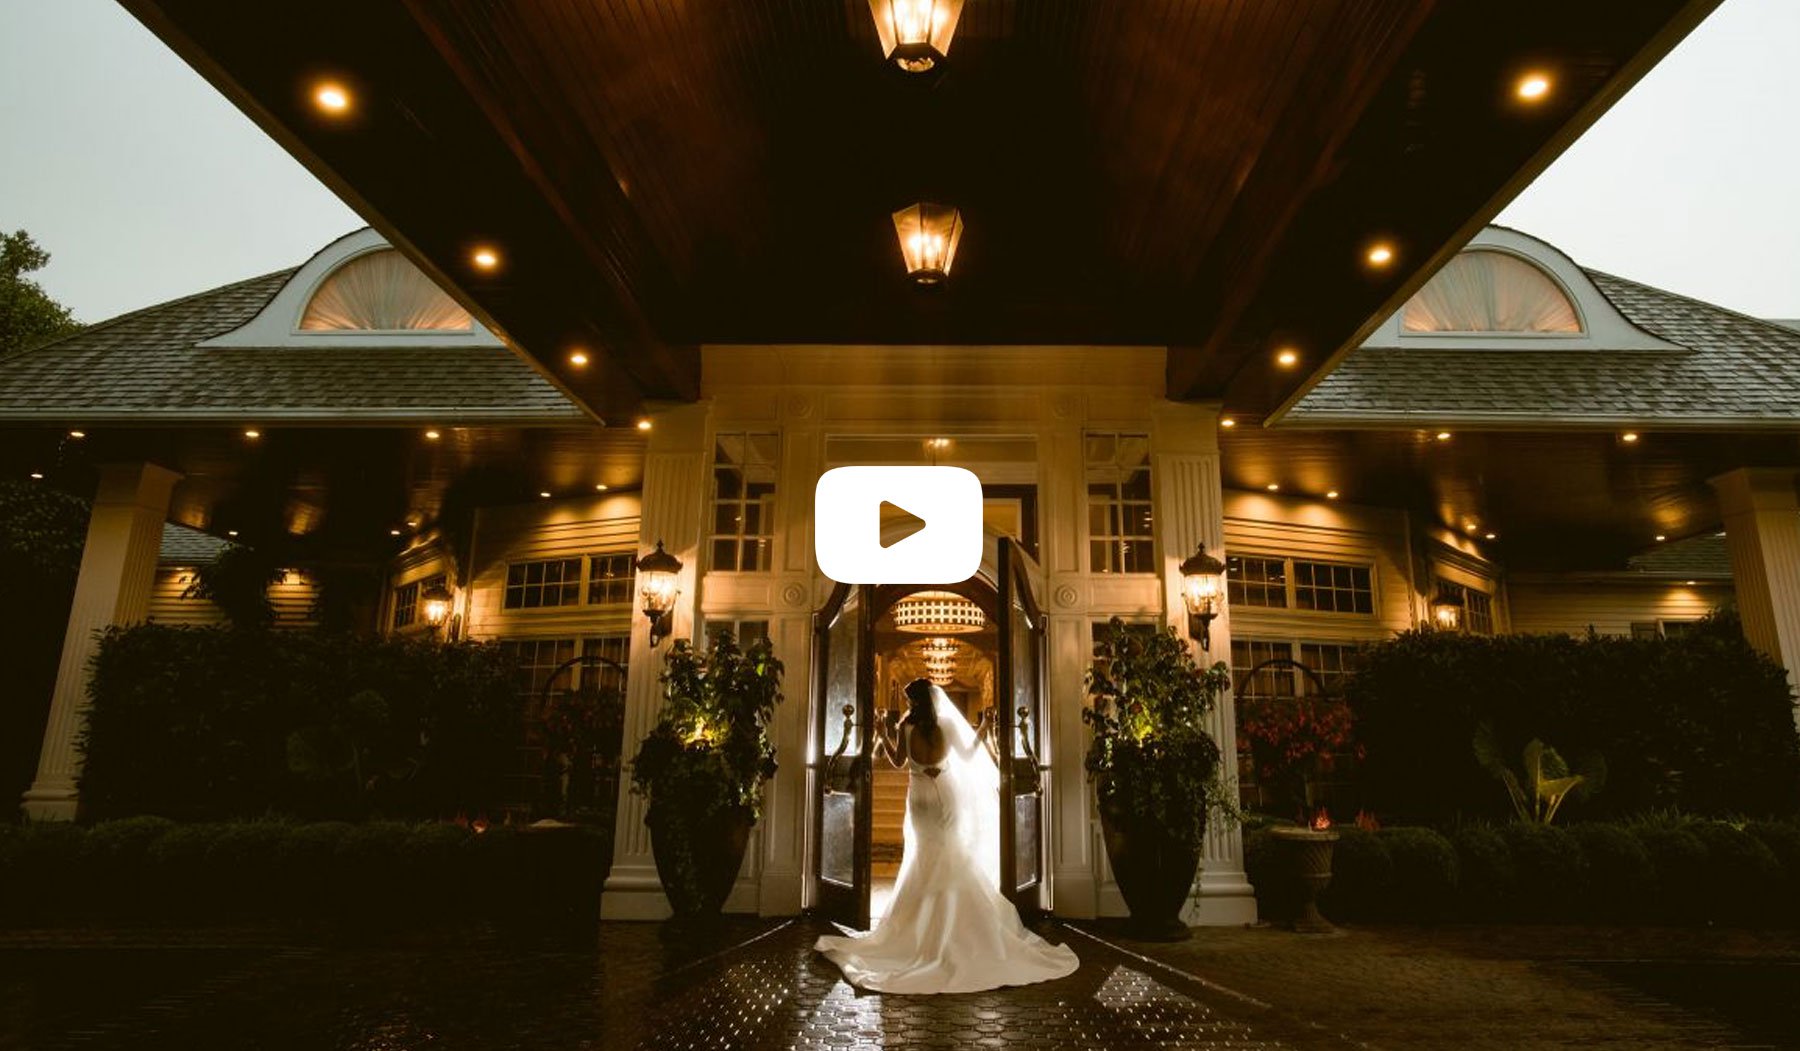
point(1763, 539)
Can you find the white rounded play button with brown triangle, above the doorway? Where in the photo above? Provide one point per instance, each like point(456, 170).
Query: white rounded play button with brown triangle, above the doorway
point(897, 525)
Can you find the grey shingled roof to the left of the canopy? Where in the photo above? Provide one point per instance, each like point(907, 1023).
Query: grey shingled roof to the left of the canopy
point(147, 368)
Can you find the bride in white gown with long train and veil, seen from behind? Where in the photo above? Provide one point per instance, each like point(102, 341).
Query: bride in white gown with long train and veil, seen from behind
point(949, 930)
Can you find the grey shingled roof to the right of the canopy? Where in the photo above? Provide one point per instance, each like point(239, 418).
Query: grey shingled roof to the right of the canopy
point(1729, 370)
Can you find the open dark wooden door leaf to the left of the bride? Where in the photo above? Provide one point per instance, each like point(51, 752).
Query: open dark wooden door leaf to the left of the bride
point(845, 687)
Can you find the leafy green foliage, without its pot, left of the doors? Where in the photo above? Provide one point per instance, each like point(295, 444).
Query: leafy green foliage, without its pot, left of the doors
point(710, 750)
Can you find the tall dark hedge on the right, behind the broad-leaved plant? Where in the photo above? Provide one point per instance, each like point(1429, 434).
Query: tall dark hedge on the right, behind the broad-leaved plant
point(1702, 723)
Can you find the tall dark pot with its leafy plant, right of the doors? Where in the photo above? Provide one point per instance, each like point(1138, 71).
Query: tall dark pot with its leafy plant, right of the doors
point(1155, 768)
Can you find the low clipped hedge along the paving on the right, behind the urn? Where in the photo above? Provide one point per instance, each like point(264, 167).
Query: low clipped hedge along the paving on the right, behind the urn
point(1660, 870)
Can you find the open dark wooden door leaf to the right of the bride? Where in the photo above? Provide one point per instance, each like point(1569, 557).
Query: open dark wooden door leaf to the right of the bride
point(1020, 732)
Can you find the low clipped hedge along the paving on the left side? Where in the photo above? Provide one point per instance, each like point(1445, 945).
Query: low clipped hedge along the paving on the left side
point(364, 877)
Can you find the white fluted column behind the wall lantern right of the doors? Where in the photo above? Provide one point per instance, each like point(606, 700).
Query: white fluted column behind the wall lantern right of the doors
point(1189, 507)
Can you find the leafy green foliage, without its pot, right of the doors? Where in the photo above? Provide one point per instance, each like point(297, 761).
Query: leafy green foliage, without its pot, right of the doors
point(1151, 759)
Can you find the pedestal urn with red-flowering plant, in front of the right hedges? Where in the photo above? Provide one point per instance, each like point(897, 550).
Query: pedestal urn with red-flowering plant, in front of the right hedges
point(1293, 744)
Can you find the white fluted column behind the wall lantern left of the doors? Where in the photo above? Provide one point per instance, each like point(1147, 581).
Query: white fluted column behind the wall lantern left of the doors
point(674, 501)
